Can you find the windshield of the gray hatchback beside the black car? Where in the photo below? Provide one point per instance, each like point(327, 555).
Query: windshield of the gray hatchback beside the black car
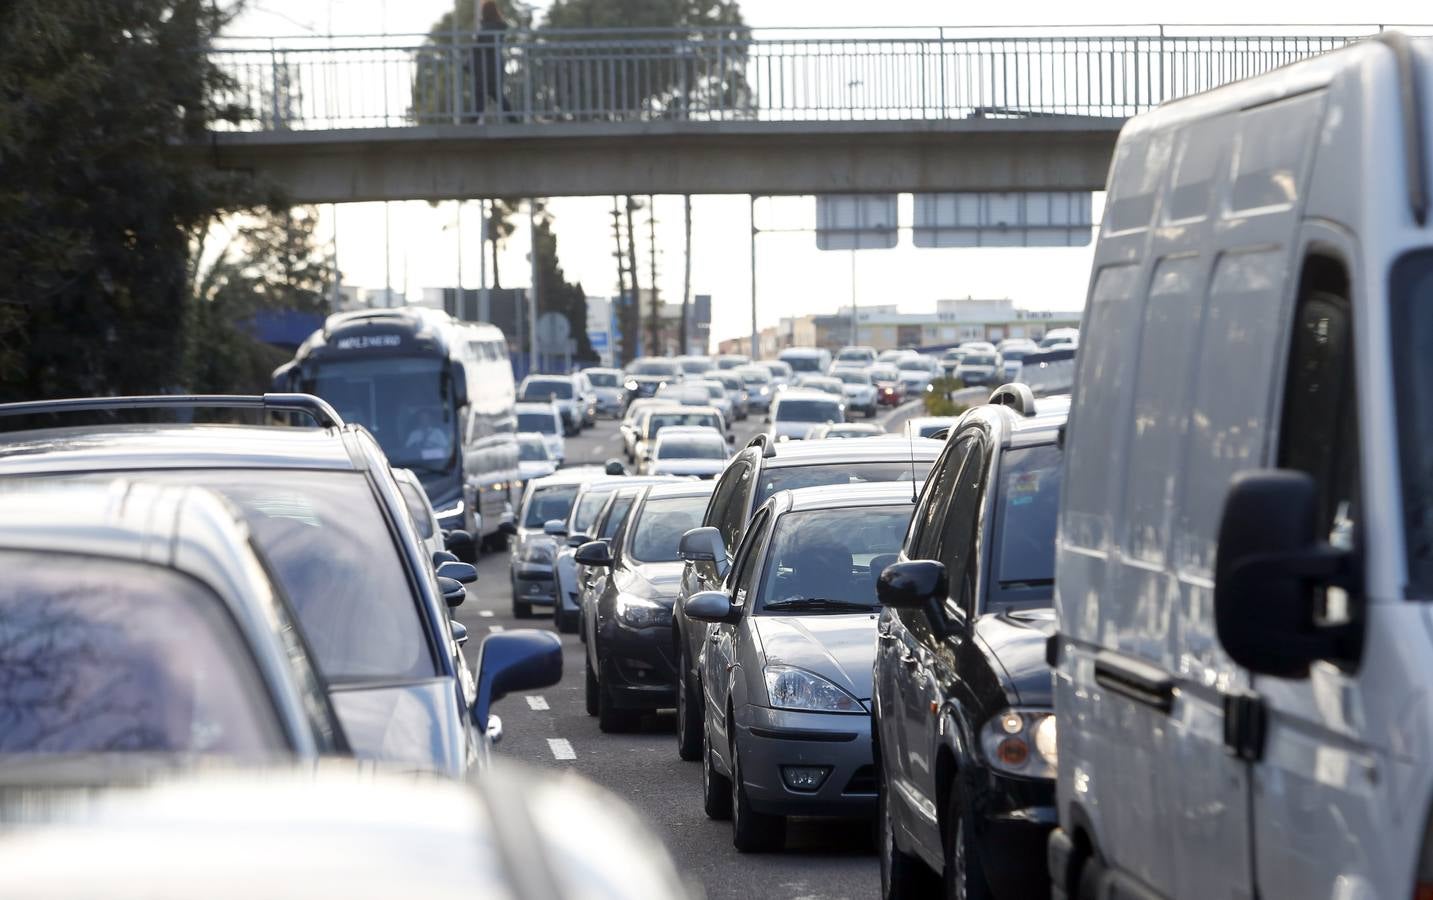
point(828, 561)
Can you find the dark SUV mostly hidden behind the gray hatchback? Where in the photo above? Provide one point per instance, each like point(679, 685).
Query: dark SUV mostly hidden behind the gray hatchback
point(753, 477)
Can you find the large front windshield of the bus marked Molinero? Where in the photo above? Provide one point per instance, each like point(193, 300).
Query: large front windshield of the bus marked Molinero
point(403, 402)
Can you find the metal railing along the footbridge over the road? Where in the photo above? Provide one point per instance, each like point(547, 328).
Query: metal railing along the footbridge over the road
point(739, 75)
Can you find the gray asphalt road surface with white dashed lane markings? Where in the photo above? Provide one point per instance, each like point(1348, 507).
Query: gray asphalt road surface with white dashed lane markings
point(552, 730)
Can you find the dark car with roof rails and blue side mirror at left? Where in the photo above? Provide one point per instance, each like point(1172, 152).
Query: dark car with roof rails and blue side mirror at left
point(327, 515)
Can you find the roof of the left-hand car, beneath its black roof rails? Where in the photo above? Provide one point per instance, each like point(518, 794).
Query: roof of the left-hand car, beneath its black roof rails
point(176, 446)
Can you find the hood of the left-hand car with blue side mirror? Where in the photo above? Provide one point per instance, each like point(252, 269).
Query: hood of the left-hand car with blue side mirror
point(411, 724)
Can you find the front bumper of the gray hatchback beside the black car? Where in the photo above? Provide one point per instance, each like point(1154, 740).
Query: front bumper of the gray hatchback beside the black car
point(773, 739)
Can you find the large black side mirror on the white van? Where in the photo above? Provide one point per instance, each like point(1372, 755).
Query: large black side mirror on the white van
point(1270, 577)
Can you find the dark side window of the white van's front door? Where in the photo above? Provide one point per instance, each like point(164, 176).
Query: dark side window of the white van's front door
point(1319, 432)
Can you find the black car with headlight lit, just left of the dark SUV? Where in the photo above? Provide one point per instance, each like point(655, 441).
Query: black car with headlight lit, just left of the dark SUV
point(631, 660)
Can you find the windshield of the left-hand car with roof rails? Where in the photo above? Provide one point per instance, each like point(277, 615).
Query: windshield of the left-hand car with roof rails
point(325, 535)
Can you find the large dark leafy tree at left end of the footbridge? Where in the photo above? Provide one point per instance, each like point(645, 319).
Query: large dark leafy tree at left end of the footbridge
point(98, 216)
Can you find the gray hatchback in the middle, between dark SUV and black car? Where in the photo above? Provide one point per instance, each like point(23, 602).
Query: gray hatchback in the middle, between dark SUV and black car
point(786, 670)
